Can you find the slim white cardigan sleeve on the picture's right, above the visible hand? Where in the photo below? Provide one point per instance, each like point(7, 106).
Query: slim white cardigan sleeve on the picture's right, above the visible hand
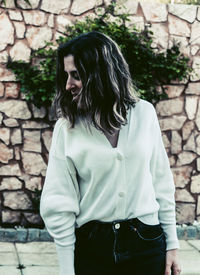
point(164, 186)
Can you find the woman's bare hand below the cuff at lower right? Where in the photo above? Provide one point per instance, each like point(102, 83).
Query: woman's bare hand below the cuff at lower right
point(172, 263)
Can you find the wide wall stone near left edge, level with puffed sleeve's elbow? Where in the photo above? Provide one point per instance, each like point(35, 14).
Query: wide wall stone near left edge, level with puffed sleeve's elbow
point(17, 200)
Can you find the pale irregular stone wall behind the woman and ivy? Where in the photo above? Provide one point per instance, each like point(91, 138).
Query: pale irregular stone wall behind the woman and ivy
point(25, 133)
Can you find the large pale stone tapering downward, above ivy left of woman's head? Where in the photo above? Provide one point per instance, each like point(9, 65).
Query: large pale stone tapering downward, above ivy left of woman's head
point(37, 36)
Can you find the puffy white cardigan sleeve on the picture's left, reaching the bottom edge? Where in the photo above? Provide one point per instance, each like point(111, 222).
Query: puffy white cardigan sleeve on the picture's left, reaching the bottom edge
point(59, 203)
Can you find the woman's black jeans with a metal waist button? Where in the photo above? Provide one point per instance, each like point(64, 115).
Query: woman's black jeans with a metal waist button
point(127, 247)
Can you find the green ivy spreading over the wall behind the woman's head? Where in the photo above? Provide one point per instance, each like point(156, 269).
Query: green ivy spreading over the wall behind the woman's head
point(149, 69)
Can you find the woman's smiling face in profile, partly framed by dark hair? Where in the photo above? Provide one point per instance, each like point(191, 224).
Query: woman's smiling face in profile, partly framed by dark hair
point(73, 84)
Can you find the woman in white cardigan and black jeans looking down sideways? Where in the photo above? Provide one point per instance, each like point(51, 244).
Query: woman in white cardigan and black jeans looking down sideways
point(108, 197)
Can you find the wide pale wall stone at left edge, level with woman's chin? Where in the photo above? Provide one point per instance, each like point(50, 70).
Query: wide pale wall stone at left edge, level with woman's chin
point(15, 109)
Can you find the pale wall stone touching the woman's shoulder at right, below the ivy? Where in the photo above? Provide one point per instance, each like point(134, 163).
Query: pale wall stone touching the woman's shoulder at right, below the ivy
point(170, 107)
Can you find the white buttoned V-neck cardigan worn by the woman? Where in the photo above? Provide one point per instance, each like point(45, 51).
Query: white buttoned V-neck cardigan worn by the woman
point(87, 179)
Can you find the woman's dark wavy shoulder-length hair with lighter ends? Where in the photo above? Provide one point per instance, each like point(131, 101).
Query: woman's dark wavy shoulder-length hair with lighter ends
point(107, 88)
